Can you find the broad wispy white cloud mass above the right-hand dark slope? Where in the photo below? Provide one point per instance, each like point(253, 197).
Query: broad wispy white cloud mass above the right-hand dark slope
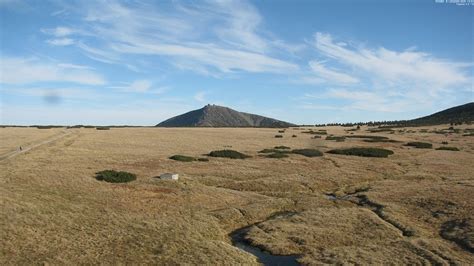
point(379, 79)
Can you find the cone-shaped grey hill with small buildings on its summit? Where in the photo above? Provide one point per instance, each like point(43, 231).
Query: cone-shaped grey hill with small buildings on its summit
point(219, 116)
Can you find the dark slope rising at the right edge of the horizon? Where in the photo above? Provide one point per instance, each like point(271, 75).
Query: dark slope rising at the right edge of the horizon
point(458, 114)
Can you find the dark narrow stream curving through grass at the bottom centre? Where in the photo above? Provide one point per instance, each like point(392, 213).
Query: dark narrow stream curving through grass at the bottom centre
point(264, 257)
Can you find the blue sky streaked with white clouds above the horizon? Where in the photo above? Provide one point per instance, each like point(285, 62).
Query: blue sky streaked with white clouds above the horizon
point(306, 62)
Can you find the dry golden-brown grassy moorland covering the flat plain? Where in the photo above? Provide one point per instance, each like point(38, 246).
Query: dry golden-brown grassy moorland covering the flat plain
point(414, 207)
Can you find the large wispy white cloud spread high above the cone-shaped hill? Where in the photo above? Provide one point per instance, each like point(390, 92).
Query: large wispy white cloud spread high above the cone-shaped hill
point(212, 37)
